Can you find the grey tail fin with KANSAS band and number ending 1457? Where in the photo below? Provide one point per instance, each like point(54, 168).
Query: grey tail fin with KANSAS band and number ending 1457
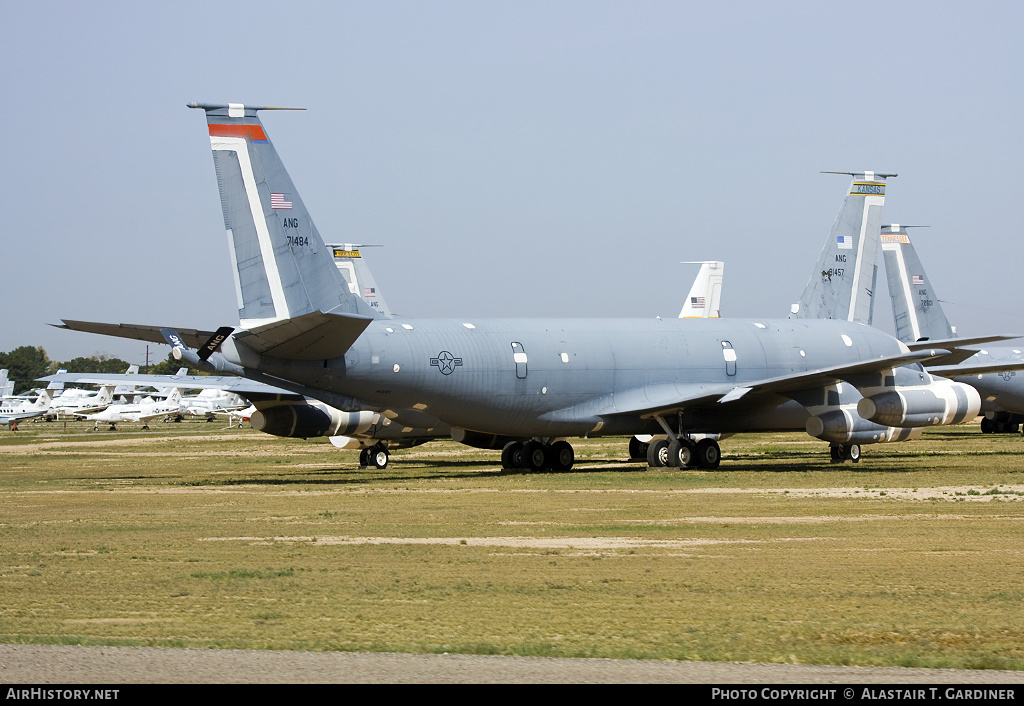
point(842, 285)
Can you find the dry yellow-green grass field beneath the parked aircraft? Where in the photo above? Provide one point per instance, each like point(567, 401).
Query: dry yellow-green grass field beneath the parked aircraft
point(190, 535)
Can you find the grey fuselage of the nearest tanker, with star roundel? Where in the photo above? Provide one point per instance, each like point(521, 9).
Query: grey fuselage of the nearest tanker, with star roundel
point(572, 378)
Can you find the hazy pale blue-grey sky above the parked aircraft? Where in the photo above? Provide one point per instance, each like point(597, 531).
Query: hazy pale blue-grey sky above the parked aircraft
point(515, 158)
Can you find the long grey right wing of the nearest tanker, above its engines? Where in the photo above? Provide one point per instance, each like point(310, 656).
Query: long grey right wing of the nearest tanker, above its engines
point(669, 399)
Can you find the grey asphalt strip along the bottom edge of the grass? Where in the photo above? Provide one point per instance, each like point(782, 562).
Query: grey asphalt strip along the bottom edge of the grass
point(61, 665)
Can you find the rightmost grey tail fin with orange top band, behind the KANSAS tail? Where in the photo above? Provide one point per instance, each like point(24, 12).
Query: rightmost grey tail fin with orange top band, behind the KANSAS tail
point(916, 309)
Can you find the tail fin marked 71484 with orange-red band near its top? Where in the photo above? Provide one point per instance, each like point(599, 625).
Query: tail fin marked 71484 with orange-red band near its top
point(283, 268)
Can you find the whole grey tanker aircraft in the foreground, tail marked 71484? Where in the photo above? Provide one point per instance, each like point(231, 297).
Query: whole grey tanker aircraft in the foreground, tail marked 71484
point(538, 383)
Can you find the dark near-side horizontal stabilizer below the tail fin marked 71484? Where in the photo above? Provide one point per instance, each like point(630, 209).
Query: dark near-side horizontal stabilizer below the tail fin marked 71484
point(310, 338)
